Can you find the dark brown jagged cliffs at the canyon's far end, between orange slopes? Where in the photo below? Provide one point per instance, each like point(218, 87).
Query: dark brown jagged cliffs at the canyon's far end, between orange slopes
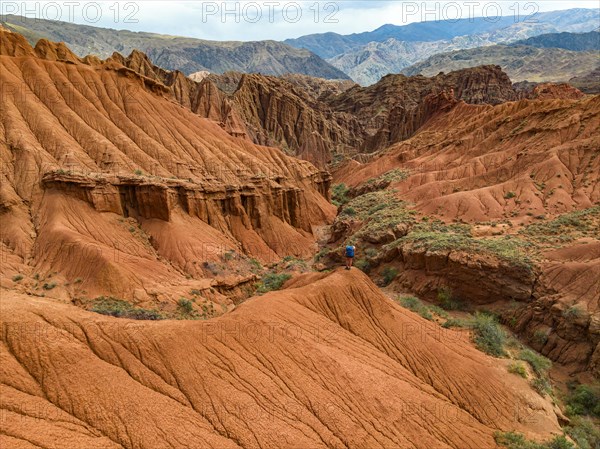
point(322, 122)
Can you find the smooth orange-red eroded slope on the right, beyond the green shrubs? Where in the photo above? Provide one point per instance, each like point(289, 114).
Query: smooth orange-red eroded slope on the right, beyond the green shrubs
point(464, 162)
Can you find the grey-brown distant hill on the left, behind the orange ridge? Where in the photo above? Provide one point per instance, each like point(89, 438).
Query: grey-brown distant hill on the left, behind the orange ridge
point(178, 53)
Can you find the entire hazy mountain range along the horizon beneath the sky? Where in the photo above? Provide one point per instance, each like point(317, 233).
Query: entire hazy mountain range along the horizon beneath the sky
point(363, 57)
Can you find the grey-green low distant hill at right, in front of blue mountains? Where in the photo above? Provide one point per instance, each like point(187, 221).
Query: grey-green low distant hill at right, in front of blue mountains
point(520, 62)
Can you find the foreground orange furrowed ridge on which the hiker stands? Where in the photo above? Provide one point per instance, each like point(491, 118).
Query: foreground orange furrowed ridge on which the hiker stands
point(328, 362)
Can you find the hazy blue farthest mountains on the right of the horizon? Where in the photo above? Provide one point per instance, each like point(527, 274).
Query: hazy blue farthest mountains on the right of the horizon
point(395, 50)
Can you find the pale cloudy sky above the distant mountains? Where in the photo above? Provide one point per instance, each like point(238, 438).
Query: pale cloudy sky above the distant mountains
point(272, 19)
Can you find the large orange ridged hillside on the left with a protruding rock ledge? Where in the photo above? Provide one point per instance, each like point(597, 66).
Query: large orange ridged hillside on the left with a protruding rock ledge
point(106, 179)
